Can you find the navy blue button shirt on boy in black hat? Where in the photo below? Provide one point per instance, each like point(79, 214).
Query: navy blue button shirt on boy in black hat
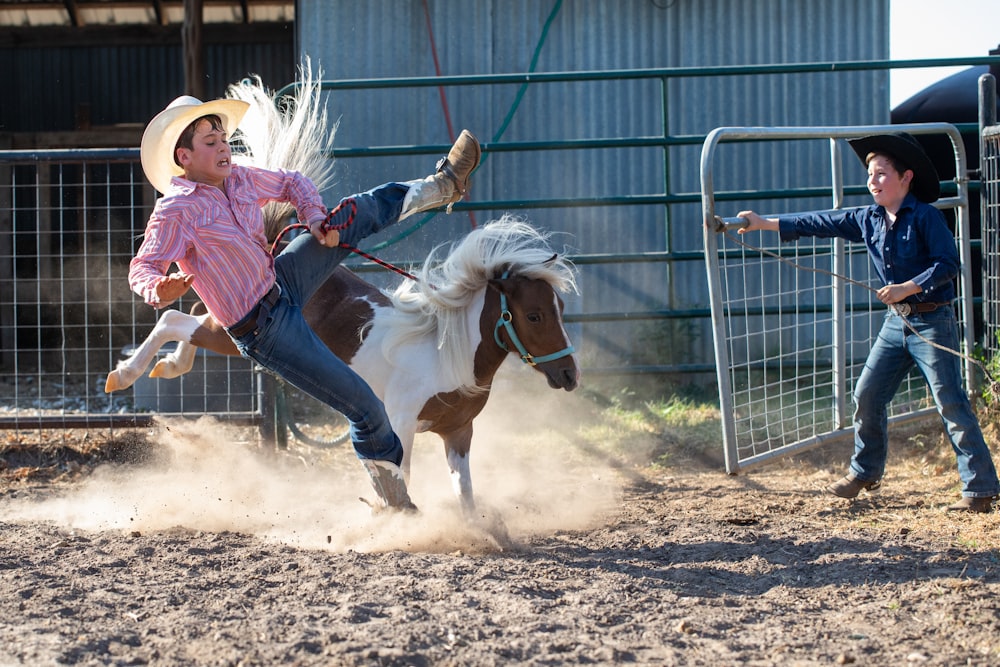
point(918, 247)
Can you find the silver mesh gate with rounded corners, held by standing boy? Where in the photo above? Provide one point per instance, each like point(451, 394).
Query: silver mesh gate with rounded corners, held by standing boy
point(791, 336)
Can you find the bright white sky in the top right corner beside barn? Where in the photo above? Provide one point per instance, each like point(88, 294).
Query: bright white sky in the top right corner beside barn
point(937, 29)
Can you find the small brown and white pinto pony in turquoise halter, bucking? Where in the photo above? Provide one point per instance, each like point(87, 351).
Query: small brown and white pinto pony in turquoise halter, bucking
point(431, 348)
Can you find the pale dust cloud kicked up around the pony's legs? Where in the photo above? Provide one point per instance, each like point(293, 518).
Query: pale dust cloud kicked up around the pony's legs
point(529, 475)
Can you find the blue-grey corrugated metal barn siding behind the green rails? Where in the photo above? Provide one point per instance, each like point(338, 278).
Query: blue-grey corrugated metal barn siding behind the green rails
point(391, 38)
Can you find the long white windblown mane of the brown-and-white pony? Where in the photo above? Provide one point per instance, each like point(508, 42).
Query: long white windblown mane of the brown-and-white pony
point(437, 303)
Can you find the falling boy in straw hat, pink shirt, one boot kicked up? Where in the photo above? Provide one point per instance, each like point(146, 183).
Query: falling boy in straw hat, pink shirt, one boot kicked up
point(210, 224)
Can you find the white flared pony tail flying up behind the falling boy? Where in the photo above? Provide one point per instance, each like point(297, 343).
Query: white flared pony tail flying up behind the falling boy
point(287, 132)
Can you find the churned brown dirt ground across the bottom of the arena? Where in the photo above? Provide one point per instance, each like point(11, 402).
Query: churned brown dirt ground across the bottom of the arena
point(188, 545)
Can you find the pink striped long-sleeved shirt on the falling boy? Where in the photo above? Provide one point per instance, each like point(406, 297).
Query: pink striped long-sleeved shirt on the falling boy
point(219, 240)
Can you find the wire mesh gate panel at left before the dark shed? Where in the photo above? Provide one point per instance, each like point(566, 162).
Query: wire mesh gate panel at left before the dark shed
point(70, 222)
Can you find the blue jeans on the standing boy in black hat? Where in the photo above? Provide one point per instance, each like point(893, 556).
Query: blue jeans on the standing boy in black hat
point(895, 352)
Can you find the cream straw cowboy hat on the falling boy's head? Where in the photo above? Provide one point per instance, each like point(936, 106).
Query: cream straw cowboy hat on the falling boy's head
point(161, 135)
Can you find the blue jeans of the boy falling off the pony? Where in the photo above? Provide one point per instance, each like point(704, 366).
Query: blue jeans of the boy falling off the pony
point(285, 345)
